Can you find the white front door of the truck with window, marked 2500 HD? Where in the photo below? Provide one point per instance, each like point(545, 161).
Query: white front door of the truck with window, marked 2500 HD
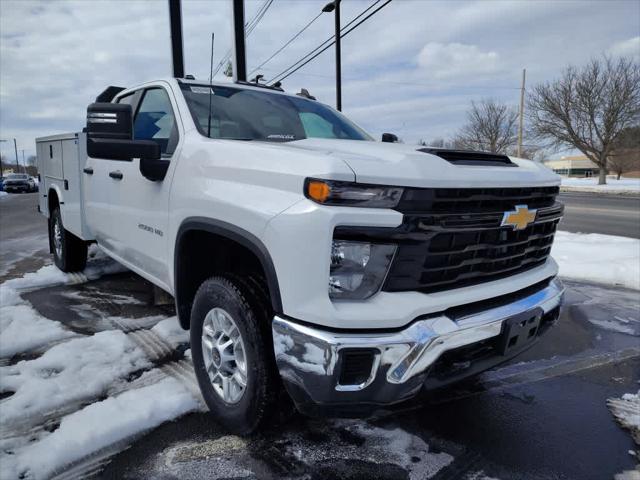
point(140, 207)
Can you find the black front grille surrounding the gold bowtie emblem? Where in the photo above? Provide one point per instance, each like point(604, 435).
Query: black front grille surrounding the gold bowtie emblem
point(452, 238)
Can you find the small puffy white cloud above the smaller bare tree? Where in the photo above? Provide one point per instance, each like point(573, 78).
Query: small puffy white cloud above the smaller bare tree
point(447, 60)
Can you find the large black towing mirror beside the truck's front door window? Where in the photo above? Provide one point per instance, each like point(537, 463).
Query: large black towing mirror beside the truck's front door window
point(110, 134)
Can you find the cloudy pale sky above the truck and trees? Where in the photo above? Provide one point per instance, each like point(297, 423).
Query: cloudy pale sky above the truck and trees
point(411, 69)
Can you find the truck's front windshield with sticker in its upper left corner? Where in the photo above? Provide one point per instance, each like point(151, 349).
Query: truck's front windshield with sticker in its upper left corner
point(244, 114)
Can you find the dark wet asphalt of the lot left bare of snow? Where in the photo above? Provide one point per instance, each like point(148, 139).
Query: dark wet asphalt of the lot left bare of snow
point(543, 416)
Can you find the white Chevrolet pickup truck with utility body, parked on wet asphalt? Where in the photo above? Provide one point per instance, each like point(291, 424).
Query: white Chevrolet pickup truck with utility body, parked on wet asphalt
point(301, 252)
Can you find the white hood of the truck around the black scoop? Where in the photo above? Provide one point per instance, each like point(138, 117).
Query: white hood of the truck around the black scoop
point(403, 165)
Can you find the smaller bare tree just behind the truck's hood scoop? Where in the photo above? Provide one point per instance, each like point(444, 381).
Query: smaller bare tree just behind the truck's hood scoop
point(490, 126)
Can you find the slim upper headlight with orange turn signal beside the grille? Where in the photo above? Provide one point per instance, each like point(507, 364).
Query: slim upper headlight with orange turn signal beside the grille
point(329, 192)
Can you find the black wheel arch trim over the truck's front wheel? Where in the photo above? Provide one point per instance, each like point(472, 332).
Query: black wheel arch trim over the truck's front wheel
point(231, 233)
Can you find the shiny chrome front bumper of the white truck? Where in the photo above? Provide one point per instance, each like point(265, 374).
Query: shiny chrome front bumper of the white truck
point(398, 364)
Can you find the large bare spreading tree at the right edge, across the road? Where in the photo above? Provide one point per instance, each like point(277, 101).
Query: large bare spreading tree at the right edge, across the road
point(587, 108)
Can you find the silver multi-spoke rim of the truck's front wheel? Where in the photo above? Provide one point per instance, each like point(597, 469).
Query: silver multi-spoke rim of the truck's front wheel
point(224, 355)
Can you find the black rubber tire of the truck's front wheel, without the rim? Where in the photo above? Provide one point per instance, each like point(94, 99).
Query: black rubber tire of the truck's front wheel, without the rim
point(251, 315)
